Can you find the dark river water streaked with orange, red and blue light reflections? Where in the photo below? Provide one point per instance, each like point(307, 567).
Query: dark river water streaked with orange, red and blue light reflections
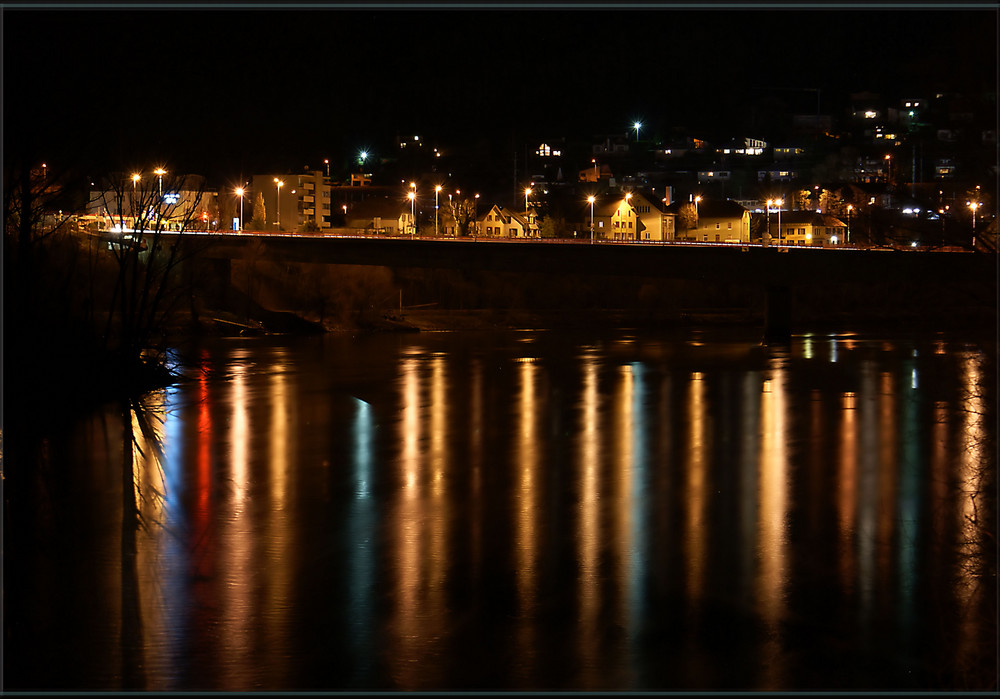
point(530, 512)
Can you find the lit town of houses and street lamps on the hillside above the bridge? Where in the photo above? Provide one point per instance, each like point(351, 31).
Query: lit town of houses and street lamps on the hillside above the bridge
point(915, 172)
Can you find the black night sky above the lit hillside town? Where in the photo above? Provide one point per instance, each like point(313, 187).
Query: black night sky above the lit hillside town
point(220, 91)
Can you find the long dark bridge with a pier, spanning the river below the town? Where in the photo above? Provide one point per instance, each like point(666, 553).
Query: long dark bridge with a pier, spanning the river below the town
point(776, 269)
